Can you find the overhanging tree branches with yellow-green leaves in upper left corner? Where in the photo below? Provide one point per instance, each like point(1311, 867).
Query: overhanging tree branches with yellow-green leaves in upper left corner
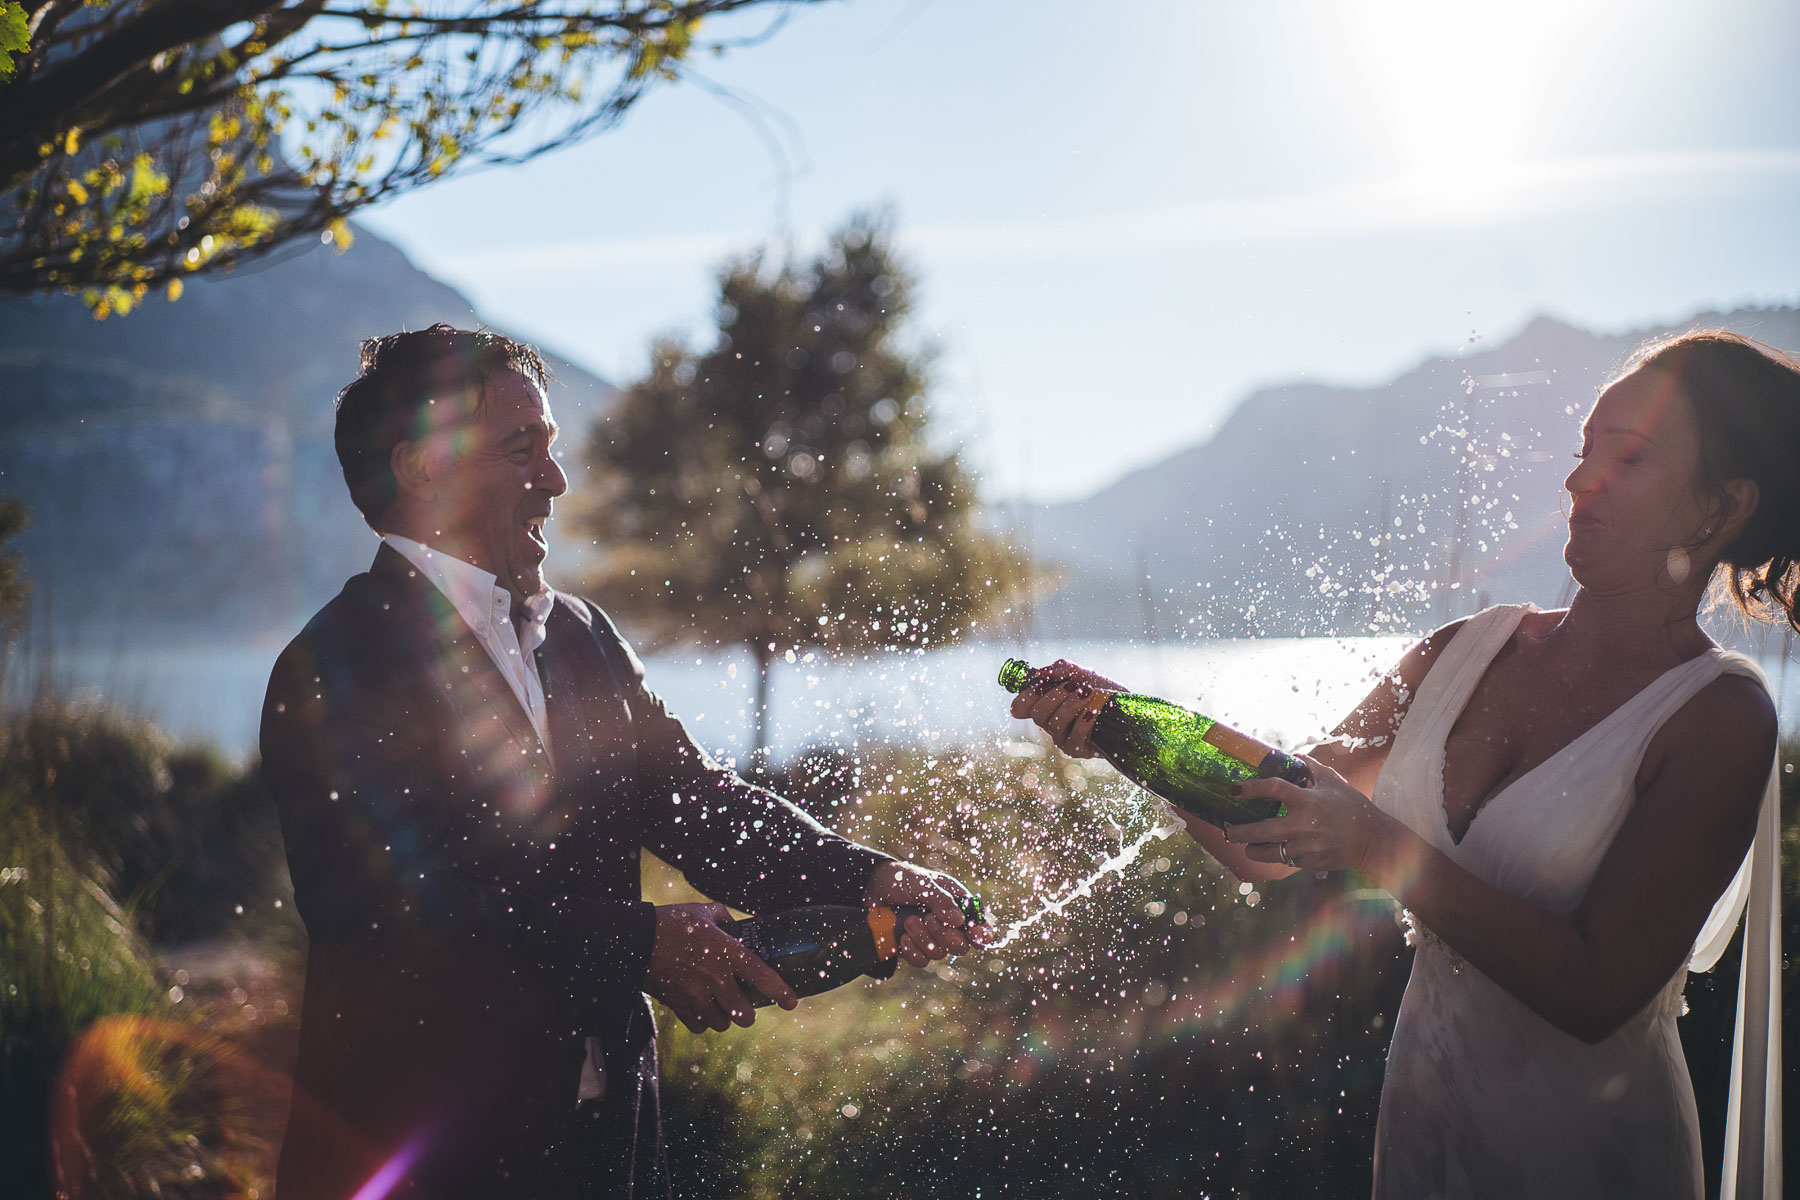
point(145, 141)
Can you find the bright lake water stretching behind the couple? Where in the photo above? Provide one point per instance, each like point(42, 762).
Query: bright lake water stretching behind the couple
point(1282, 690)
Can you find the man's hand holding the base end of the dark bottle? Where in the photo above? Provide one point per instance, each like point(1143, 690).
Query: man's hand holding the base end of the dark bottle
point(696, 969)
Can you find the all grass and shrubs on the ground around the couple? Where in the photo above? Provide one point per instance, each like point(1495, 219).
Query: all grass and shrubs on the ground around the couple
point(1171, 1035)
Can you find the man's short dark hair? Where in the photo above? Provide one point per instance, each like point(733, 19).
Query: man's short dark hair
point(400, 377)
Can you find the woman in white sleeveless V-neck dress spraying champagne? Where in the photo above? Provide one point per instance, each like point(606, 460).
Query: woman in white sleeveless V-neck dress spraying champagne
point(1561, 801)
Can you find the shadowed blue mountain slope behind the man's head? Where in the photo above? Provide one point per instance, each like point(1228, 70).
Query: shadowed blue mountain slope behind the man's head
point(179, 461)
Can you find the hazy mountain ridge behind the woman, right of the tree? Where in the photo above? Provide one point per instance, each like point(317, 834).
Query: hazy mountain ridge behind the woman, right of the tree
point(1353, 510)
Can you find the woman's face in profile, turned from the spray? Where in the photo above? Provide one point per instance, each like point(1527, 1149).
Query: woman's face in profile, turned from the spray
point(1633, 496)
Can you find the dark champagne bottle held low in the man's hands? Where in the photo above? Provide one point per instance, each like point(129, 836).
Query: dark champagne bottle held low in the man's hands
point(823, 947)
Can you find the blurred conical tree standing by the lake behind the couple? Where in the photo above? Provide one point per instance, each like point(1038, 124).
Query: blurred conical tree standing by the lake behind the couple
point(780, 488)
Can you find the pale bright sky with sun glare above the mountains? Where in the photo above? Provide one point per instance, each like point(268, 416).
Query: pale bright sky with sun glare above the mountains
point(1124, 219)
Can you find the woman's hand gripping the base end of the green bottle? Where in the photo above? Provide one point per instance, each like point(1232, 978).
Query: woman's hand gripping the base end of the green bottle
point(1329, 827)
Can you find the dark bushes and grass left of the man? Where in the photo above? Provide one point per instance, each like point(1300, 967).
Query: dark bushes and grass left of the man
point(100, 1071)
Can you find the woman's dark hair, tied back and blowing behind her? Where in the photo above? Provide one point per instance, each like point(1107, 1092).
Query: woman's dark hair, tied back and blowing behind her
point(1747, 407)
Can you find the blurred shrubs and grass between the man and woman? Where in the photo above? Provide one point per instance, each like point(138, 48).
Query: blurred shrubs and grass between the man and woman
point(1169, 1035)
